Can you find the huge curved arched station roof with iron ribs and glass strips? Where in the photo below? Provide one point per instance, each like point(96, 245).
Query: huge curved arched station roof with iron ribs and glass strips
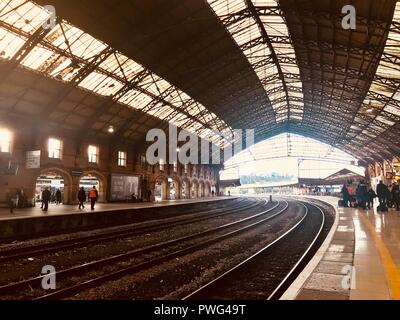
point(276, 66)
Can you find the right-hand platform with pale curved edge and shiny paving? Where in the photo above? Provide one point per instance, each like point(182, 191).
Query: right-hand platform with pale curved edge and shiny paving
point(359, 260)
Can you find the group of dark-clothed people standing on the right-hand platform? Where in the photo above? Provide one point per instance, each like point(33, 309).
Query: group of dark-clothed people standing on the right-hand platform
point(364, 196)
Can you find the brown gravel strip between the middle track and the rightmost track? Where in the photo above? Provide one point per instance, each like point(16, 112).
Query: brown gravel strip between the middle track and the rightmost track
point(174, 279)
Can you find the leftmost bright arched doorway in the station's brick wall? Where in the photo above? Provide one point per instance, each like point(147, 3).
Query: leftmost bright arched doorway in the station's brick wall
point(54, 179)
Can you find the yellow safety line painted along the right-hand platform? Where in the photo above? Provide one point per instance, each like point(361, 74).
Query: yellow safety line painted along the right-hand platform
point(392, 273)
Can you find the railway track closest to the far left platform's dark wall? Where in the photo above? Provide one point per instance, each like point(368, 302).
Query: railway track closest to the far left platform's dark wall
point(7, 255)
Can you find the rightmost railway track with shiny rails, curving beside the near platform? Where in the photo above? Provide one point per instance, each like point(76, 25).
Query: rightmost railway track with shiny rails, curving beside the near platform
point(270, 271)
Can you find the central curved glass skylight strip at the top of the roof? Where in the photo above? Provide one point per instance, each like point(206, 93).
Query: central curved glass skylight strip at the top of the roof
point(250, 35)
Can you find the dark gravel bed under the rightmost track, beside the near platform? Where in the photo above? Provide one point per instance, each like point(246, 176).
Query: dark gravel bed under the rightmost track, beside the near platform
point(259, 278)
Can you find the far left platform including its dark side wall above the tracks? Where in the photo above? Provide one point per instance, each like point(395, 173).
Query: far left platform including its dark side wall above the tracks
point(33, 222)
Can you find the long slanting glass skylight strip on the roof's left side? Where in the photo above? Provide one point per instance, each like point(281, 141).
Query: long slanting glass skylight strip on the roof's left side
point(68, 54)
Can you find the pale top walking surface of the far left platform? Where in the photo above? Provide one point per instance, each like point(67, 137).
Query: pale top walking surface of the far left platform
point(56, 210)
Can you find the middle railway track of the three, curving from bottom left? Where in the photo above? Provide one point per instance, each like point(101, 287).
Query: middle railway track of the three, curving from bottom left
point(161, 252)
